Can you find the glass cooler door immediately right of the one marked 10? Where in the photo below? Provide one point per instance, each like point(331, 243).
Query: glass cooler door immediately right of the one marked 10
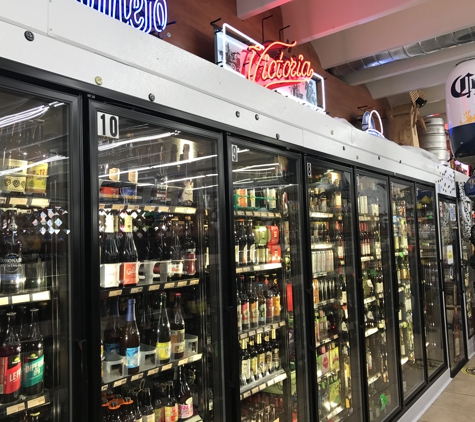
point(268, 285)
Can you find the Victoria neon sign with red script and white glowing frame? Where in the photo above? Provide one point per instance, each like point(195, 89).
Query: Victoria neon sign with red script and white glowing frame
point(270, 65)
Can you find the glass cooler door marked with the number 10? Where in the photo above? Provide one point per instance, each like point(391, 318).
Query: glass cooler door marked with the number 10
point(157, 217)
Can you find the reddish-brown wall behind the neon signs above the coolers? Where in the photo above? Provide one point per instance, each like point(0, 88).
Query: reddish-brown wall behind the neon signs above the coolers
point(193, 33)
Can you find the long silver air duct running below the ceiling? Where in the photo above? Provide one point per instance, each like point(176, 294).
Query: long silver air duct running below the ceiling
point(428, 46)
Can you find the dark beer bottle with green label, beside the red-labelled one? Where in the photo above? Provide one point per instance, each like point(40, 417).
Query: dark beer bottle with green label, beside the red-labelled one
point(32, 370)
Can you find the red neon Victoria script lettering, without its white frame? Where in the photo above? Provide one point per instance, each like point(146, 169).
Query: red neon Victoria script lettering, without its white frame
point(277, 71)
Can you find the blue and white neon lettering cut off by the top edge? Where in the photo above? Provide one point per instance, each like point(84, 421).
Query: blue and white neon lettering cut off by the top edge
point(145, 15)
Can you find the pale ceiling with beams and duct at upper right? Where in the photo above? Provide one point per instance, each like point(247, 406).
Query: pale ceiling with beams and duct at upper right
point(391, 46)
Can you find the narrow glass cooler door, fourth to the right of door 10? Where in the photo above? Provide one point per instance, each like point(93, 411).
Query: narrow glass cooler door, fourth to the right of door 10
point(409, 318)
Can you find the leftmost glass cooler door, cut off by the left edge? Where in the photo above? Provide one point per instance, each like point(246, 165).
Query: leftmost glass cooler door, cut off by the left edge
point(35, 272)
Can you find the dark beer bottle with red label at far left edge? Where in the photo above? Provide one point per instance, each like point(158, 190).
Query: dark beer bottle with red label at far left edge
point(10, 363)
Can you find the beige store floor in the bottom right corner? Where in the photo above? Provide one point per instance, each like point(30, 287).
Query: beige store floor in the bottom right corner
point(457, 401)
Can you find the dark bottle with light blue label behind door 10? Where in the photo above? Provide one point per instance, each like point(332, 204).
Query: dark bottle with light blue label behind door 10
point(130, 340)
